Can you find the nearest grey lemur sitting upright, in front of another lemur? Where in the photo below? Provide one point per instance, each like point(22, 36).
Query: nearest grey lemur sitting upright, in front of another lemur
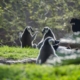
point(46, 50)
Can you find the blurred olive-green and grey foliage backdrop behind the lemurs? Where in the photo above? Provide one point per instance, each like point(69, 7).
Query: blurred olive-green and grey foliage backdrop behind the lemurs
point(15, 15)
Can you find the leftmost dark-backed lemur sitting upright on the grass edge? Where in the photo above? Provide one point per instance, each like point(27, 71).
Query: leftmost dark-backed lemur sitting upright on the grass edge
point(27, 38)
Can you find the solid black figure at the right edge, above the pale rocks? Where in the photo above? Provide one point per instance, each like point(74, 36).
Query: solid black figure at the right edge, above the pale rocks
point(75, 24)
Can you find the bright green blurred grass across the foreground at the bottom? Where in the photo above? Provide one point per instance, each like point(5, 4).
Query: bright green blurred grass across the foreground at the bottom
point(39, 72)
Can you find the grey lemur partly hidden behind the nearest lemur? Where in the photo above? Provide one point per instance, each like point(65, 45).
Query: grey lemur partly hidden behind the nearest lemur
point(47, 32)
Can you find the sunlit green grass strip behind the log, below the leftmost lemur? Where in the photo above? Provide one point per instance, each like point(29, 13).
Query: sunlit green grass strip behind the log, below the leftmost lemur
point(17, 52)
